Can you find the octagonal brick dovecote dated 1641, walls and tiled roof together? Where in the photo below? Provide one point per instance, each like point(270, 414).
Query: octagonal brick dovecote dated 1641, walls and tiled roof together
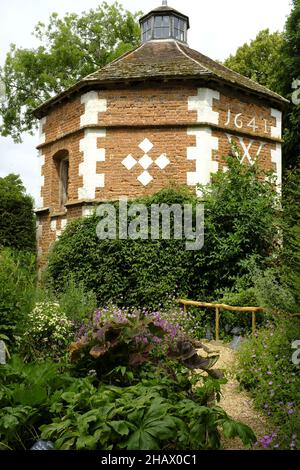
point(160, 114)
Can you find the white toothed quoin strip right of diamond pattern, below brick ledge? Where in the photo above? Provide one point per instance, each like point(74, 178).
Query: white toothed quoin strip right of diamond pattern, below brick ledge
point(202, 154)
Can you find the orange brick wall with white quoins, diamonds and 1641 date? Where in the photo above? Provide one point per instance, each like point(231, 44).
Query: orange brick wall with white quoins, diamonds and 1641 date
point(135, 141)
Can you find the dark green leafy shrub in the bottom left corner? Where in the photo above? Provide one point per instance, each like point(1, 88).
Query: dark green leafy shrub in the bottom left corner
point(25, 391)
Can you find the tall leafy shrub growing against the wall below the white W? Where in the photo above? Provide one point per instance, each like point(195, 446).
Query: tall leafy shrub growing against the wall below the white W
point(241, 225)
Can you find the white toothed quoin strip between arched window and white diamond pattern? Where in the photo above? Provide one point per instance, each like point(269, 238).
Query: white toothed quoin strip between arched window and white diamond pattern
point(87, 169)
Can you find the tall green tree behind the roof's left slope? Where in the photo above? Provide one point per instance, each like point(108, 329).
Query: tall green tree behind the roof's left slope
point(70, 48)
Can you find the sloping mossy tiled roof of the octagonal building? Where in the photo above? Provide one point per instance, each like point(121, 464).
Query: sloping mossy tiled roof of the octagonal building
point(163, 59)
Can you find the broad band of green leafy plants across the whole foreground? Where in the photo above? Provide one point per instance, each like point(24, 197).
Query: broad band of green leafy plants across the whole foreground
point(158, 412)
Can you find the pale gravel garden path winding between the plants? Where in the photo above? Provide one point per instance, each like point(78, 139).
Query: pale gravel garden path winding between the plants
point(236, 402)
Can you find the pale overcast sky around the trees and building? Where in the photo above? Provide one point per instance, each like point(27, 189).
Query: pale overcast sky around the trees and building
point(218, 28)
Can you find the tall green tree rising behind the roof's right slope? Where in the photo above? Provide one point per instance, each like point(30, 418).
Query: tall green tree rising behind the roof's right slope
point(273, 60)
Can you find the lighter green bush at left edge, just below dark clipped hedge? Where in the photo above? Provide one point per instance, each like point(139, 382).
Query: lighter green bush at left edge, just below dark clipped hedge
point(17, 290)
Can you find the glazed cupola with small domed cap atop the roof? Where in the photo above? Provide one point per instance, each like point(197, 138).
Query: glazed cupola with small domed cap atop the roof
point(164, 23)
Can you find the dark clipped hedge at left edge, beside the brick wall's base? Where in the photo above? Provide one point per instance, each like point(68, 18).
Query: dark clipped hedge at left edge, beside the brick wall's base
point(17, 220)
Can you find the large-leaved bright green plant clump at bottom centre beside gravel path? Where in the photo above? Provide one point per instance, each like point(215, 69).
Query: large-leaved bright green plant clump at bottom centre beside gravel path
point(151, 415)
